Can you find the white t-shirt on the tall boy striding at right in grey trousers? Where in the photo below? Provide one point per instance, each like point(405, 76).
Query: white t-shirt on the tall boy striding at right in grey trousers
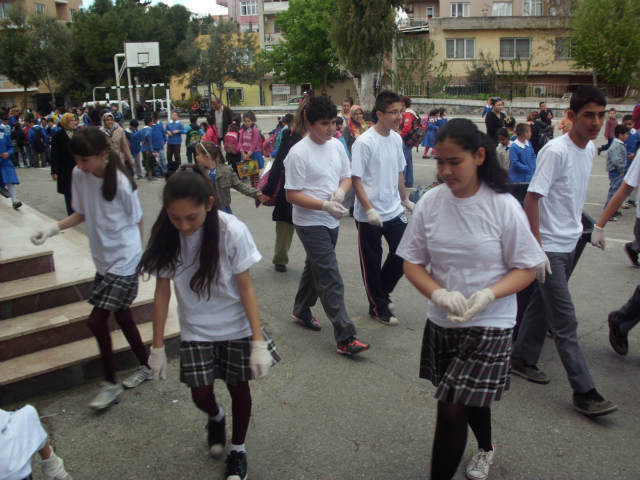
point(562, 178)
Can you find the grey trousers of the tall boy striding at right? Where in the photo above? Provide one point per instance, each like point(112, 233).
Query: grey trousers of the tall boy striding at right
point(551, 306)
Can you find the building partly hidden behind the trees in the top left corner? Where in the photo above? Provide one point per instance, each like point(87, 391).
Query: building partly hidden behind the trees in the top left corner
point(64, 11)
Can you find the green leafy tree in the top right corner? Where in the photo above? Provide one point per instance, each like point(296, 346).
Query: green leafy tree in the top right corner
point(605, 35)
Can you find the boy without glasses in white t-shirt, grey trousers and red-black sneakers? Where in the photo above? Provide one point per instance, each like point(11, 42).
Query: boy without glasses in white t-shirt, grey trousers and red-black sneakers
point(317, 178)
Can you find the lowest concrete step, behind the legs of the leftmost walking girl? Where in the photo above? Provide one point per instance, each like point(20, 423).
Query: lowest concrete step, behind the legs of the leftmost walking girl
point(73, 364)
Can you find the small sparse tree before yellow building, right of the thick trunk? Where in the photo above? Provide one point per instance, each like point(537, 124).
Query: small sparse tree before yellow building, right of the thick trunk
point(415, 68)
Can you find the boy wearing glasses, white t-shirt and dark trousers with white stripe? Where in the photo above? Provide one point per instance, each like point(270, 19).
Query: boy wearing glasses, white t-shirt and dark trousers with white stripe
point(378, 182)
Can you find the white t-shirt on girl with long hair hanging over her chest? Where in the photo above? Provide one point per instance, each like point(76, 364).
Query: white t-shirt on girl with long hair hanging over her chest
point(221, 317)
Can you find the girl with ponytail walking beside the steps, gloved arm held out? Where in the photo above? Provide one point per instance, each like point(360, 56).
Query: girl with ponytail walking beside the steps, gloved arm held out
point(104, 195)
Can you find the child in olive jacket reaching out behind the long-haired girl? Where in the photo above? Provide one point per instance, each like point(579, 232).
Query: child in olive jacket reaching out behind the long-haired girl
point(209, 156)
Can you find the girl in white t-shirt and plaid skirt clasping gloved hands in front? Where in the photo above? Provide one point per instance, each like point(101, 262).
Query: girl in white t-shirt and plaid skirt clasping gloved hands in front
point(477, 240)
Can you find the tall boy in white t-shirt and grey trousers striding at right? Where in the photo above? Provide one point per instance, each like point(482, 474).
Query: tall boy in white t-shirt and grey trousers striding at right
point(554, 207)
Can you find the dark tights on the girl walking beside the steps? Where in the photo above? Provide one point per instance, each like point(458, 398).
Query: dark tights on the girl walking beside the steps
point(98, 324)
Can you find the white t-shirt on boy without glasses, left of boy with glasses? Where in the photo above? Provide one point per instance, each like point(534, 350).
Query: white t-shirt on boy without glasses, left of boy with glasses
point(316, 170)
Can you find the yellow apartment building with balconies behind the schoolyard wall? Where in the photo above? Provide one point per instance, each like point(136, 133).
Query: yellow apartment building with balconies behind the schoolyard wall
point(529, 29)
